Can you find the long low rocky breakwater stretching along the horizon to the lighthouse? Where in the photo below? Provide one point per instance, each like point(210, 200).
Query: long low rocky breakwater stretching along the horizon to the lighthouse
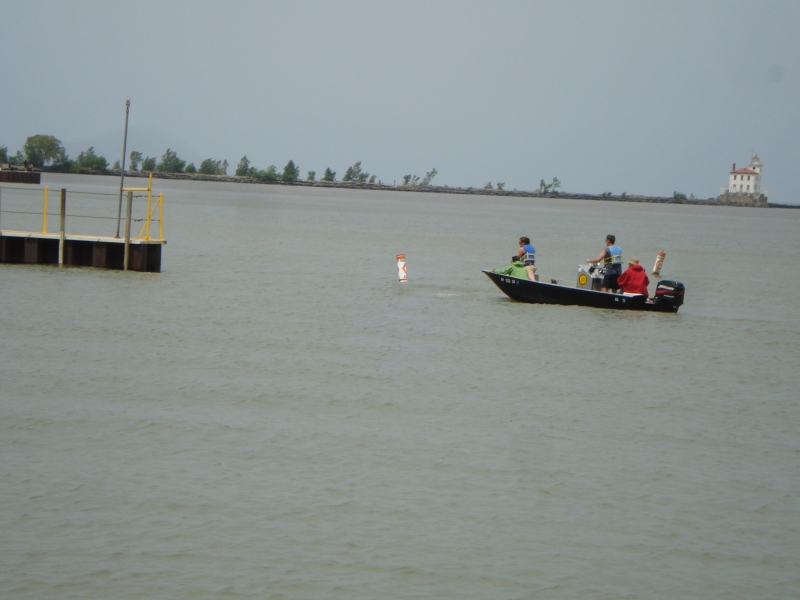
point(744, 201)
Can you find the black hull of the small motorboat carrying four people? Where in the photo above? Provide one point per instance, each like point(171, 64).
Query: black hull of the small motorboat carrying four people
point(539, 292)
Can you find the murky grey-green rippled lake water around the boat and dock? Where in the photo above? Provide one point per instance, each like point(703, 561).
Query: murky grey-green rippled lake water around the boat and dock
point(275, 416)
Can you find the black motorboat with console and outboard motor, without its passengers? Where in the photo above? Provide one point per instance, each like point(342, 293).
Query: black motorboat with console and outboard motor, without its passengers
point(668, 297)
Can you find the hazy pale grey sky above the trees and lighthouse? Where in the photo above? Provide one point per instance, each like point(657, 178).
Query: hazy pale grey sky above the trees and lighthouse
point(642, 97)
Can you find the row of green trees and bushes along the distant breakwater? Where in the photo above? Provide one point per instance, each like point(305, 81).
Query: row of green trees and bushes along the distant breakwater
point(46, 150)
